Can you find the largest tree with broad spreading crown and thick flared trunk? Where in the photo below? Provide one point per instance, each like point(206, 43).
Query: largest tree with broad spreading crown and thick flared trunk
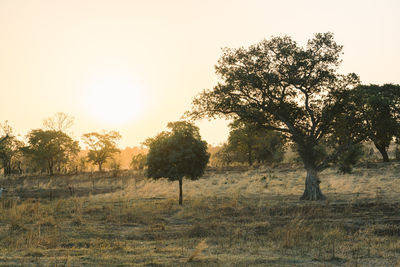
point(282, 86)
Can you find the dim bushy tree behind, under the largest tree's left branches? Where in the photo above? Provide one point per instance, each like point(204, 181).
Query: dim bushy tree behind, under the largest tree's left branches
point(255, 142)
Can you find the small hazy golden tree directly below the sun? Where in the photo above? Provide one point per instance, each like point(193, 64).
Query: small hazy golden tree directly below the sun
point(101, 146)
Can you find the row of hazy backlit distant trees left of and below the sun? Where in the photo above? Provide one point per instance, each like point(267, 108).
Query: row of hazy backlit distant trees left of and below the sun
point(52, 149)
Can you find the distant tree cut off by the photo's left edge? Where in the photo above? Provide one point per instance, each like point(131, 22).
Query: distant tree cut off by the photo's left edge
point(10, 150)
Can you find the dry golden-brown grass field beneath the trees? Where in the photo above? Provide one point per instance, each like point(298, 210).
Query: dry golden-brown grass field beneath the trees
point(232, 217)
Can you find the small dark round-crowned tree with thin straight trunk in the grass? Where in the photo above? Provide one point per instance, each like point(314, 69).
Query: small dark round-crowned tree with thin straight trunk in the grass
point(177, 154)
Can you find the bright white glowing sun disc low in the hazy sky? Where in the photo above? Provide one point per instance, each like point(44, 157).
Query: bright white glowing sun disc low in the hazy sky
point(115, 100)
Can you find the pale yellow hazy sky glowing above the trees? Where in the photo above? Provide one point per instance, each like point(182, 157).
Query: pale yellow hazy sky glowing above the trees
point(143, 61)
